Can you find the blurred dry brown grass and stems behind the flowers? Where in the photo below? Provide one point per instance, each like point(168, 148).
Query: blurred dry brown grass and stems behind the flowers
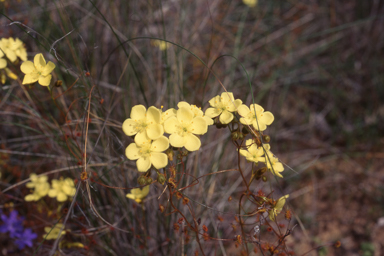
point(318, 66)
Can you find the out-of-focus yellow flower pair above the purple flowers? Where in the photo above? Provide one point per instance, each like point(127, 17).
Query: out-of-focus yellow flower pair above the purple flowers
point(61, 189)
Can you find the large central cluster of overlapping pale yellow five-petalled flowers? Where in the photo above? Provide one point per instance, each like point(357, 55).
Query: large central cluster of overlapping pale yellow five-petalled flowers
point(148, 127)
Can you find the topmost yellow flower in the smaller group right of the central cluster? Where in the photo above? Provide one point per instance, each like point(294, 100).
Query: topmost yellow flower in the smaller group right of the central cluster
point(223, 105)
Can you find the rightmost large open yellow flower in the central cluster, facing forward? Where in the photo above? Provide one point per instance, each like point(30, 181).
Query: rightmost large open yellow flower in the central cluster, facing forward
point(183, 128)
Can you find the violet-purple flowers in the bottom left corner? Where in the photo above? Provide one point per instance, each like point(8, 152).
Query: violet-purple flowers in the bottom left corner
point(13, 225)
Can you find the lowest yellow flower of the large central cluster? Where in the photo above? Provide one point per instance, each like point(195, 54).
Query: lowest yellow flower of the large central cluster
point(148, 152)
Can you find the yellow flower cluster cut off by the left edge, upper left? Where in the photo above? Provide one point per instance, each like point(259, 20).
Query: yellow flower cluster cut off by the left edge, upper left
point(10, 49)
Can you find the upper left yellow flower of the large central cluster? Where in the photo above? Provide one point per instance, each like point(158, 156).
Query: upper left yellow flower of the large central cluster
point(144, 123)
